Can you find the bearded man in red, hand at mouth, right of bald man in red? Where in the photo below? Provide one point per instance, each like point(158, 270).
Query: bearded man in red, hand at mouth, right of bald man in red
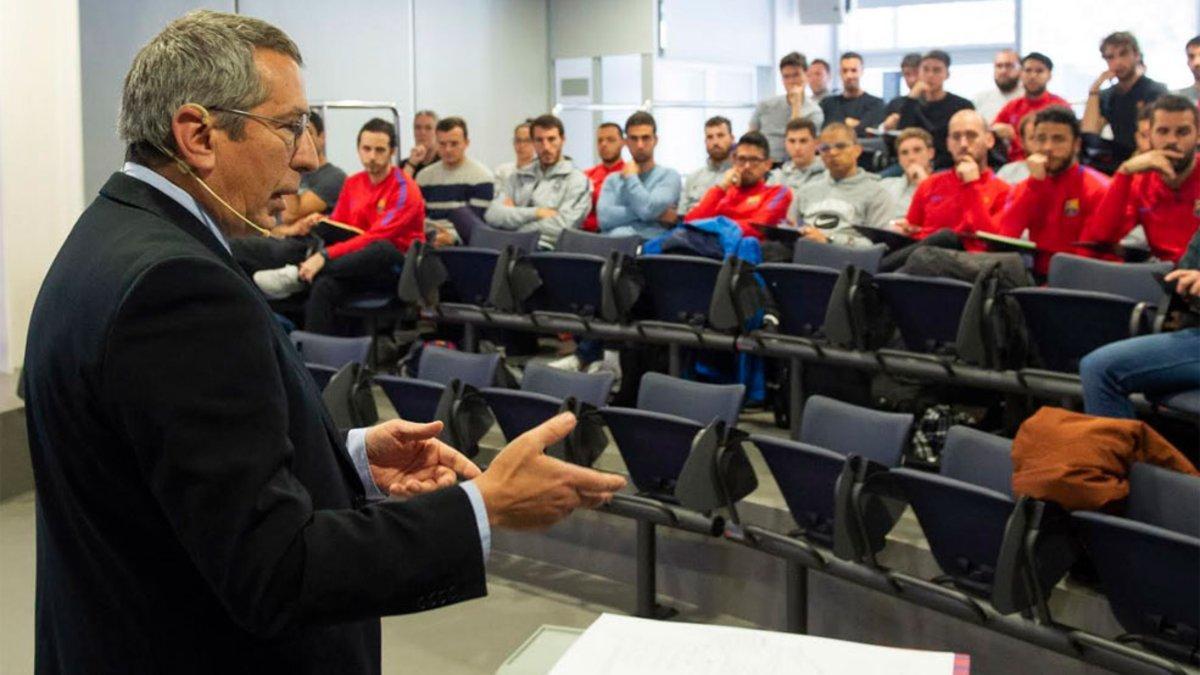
point(1060, 195)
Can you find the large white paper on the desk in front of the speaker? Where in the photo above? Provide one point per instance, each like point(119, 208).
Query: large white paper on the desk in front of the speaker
point(626, 646)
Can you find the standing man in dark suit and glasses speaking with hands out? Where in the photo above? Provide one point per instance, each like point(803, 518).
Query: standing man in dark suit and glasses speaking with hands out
point(197, 509)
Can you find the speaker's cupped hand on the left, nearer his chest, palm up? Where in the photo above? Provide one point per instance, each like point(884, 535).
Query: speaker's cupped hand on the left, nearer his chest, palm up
point(407, 459)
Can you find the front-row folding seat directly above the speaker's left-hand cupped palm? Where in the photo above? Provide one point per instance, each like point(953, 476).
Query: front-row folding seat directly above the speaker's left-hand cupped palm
point(417, 398)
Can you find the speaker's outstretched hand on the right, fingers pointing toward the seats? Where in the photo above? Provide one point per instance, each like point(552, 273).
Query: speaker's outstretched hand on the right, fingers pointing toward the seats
point(525, 489)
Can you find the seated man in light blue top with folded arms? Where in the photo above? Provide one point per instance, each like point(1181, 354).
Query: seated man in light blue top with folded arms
point(644, 198)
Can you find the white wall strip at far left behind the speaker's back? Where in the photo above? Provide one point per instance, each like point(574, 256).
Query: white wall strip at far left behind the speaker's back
point(41, 165)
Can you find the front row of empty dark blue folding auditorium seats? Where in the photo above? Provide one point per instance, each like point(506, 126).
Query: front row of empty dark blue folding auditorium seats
point(845, 488)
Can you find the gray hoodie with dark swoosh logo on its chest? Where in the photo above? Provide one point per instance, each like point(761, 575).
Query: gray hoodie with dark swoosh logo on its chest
point(836, 206)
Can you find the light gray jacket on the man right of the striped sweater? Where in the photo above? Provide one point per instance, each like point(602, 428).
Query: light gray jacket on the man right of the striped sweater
point(561, 188)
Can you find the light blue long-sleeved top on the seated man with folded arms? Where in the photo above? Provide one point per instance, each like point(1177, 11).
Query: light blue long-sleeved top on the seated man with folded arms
point(634, 204)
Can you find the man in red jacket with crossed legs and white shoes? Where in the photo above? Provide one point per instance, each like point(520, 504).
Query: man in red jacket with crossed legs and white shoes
point(385, 204)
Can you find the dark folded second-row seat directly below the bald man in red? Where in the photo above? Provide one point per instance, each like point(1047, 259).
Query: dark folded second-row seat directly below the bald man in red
point(927, 310)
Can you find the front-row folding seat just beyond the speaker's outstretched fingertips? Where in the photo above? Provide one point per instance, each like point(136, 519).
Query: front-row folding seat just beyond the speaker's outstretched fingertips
point(656, 438)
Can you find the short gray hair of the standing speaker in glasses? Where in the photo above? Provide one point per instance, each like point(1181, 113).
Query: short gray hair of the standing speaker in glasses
point(206, 58)
